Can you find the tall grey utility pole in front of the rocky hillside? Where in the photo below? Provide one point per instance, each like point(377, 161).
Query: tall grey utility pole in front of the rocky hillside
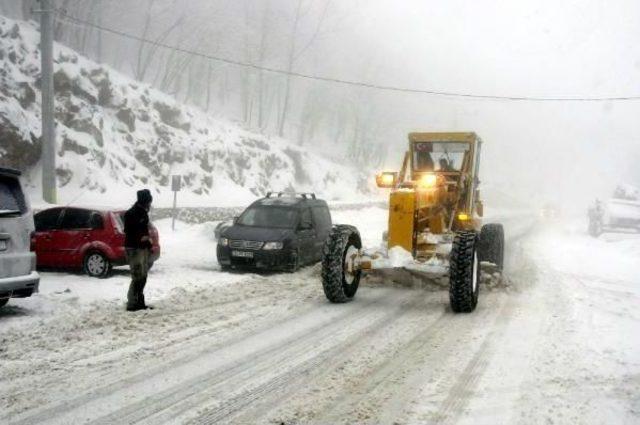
point(48, 159)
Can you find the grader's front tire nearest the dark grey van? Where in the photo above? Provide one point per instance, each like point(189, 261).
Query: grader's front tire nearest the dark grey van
point(339, 285)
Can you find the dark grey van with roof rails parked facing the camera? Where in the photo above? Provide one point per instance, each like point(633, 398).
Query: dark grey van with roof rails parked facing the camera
point(279, 232)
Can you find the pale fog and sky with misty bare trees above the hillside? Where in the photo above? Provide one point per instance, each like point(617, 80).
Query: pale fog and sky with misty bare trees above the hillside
point(567, 152)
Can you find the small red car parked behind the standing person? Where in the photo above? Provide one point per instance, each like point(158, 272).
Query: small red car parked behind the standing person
point(87, 239)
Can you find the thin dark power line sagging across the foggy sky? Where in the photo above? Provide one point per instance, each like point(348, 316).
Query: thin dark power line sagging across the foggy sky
point(353, 83)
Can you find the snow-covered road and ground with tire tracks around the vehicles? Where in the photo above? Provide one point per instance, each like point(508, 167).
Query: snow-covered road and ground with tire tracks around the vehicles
point(558, 344)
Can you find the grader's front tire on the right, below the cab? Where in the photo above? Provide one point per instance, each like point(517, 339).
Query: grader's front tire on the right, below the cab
point(464, 273)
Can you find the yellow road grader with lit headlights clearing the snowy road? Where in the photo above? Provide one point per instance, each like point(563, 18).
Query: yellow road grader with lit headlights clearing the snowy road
point(435, 223)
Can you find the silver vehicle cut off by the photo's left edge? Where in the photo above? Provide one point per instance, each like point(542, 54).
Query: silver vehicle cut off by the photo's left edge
point(18, 278)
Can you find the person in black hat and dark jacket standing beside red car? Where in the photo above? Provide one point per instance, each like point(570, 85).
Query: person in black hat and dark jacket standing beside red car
point(138, 244)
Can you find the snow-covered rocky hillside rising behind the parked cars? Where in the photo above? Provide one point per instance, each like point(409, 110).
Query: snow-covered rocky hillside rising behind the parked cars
point(116, 135)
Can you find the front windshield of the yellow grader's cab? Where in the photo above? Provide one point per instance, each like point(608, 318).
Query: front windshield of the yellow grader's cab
point(439, 156)
